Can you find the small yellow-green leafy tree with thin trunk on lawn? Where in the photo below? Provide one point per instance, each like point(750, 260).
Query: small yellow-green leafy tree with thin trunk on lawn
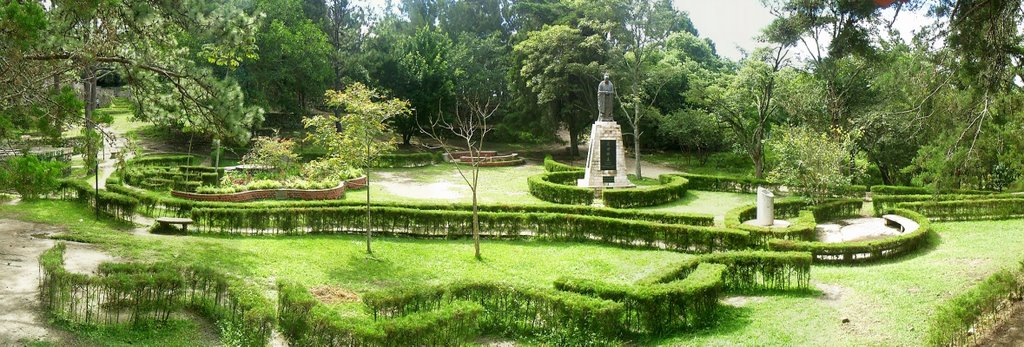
point(357, 137)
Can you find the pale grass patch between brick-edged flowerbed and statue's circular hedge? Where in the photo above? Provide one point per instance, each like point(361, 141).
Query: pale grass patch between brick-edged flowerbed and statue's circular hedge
point(443, 184)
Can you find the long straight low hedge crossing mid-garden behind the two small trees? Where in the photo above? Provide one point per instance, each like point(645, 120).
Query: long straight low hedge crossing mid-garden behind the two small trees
point(434, 224)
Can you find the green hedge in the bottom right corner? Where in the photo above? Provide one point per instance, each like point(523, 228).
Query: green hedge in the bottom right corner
point(961, 321)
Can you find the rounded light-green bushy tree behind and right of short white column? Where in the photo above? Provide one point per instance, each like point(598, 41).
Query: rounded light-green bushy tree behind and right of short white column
point(813, 164)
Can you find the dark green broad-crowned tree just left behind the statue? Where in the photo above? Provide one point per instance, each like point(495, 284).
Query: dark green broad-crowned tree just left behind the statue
point(562, 67)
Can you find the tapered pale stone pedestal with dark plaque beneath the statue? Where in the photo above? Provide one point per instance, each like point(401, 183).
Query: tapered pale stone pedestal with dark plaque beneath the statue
point(607, 158)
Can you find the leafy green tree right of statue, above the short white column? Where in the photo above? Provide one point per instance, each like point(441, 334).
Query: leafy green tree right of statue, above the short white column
point(746, 102)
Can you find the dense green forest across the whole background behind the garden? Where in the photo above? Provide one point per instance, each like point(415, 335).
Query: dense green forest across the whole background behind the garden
point(942, 110)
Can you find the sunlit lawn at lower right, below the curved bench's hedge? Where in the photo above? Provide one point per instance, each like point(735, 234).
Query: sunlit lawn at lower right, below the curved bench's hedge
point(888, 305)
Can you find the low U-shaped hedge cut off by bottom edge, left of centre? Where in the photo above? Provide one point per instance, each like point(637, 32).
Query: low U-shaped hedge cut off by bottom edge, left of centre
point(306, 322)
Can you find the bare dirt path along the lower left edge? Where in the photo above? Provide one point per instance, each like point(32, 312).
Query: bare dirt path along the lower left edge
point(21, 318)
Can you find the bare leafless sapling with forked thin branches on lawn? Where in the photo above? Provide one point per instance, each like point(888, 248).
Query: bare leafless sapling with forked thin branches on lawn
point(468, 126)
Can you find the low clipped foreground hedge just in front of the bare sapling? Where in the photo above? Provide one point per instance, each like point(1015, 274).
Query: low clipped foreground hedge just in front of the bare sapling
point(558, 318)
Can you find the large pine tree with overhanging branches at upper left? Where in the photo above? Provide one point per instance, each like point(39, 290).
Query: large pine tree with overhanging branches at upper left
point(153, 46)
